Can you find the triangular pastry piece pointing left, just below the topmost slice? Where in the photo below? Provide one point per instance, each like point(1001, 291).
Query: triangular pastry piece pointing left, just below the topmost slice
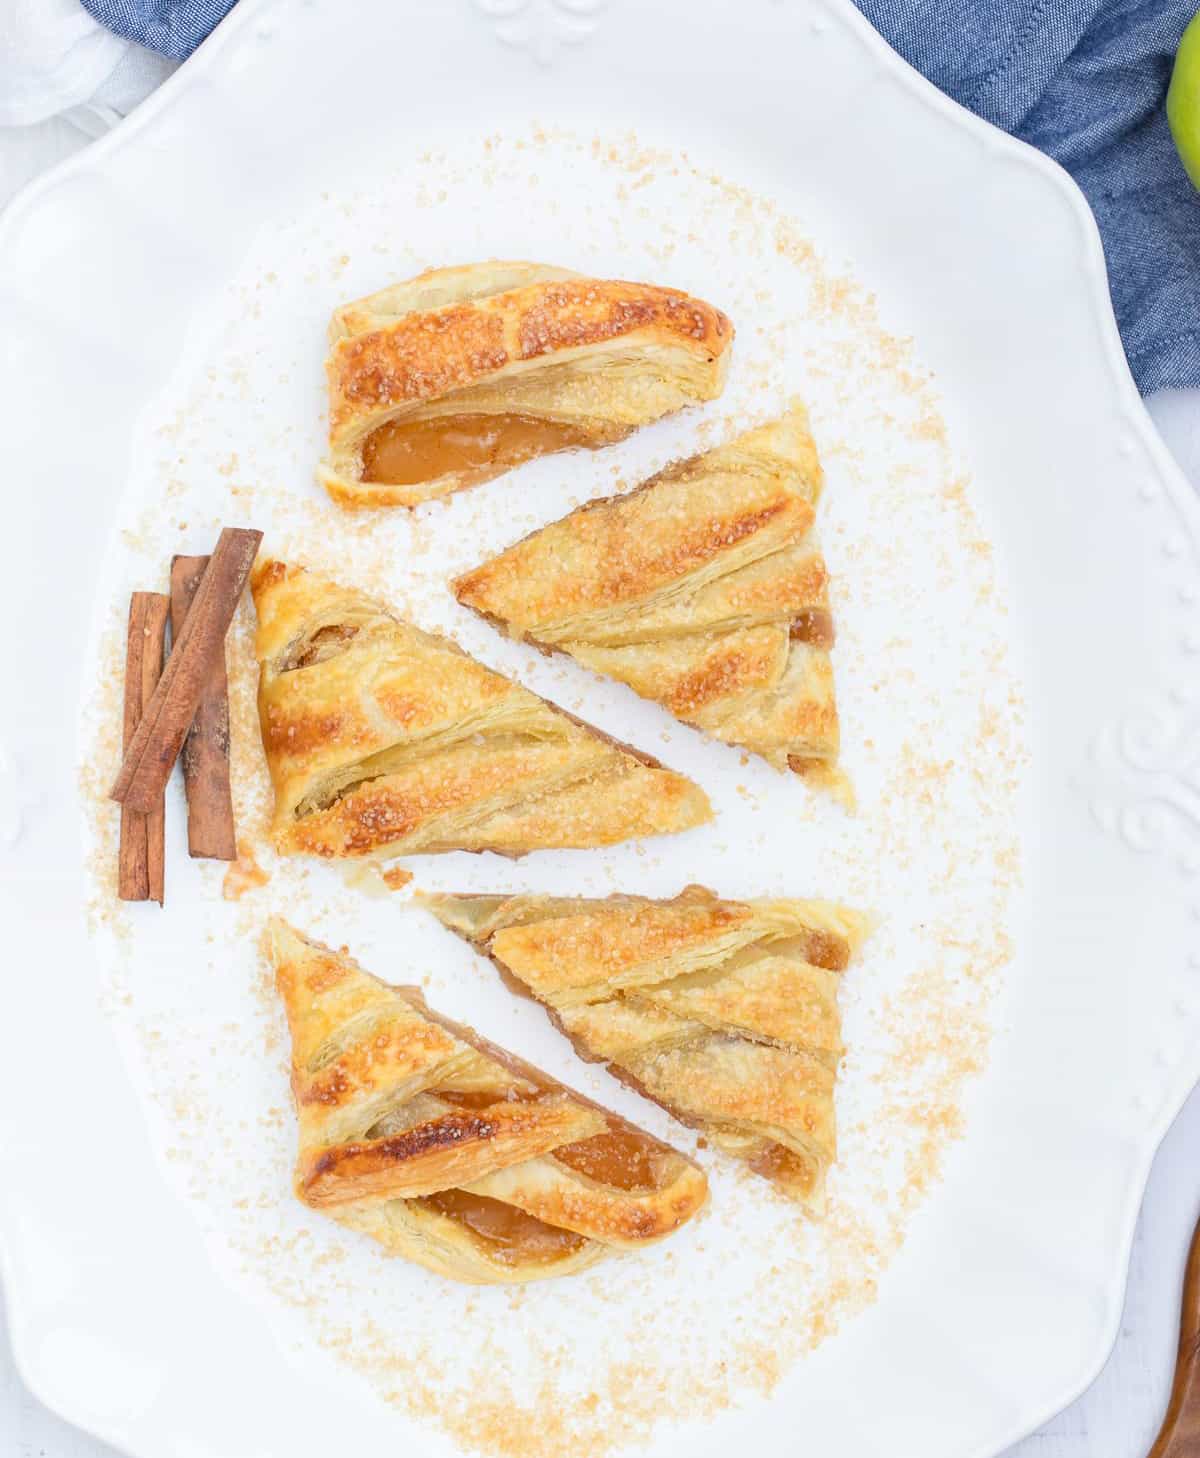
point(704, 590)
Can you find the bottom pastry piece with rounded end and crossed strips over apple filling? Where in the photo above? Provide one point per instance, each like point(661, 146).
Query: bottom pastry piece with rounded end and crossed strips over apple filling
point(450, 1151)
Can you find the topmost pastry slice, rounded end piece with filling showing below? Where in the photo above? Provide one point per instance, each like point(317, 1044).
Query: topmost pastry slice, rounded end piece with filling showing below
point(461, 374)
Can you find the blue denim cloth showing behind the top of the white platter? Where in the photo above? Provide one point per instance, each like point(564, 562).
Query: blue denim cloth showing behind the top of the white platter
point(1083, 79)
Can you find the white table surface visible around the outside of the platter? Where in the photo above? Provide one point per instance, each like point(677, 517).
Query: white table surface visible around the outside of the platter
point(1121, 1415)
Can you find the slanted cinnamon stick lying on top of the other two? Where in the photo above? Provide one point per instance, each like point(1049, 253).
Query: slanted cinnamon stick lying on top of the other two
point(157, 743)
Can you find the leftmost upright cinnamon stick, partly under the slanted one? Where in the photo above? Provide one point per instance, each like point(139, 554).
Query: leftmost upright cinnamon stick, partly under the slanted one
point(141, 857)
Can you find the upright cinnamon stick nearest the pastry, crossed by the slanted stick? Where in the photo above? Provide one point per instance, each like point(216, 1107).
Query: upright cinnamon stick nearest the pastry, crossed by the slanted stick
point(205, 756)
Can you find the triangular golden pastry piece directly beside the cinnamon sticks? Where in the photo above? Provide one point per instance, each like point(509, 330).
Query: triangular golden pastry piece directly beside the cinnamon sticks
point(384, 740)
